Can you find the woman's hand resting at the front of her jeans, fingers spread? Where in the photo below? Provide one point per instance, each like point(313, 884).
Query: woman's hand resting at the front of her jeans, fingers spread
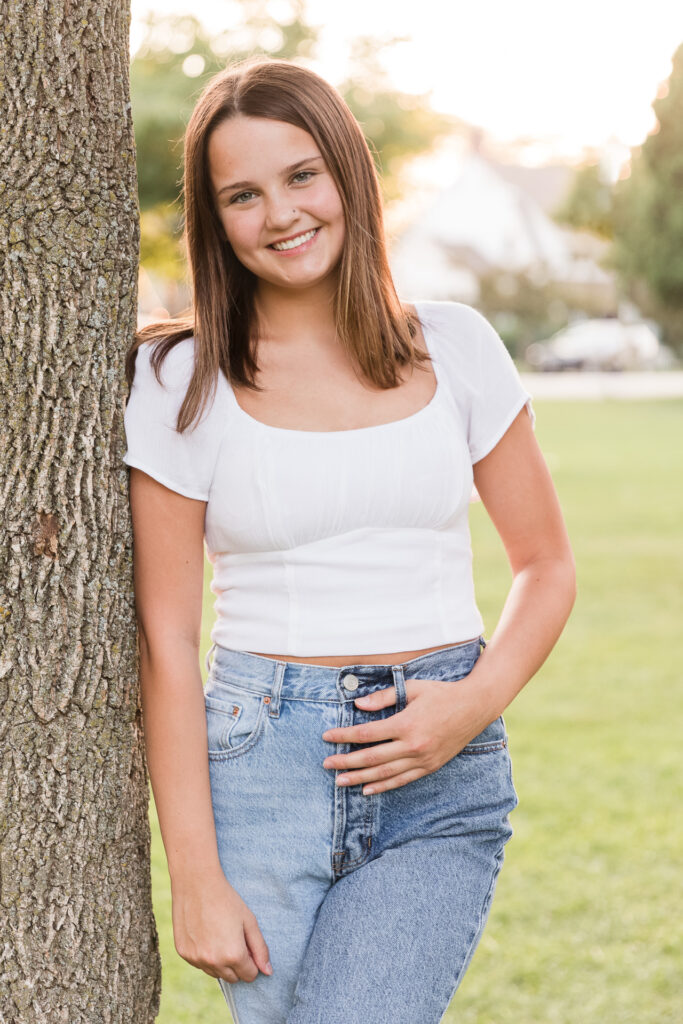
point(440, 719)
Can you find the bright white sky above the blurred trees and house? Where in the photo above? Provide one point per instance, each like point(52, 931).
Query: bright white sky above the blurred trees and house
point(568, 74)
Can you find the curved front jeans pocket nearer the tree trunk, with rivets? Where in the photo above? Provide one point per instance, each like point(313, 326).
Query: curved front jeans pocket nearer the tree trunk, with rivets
point(235, 719)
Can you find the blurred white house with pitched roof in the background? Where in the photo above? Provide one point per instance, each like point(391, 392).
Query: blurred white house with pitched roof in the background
point(493, 219)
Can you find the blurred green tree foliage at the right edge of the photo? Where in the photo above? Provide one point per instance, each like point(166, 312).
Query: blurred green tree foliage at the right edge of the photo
point(649, 215)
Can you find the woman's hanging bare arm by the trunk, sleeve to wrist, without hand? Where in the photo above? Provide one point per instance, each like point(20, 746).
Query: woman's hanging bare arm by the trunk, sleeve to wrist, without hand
point(168, 532)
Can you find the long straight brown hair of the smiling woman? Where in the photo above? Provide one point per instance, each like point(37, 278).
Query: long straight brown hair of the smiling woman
point(372, 324)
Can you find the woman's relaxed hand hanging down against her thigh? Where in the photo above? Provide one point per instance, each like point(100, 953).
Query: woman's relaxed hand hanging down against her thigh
point(215, 930)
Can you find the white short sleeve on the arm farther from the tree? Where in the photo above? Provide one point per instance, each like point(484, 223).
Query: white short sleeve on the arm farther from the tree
point(497, 393)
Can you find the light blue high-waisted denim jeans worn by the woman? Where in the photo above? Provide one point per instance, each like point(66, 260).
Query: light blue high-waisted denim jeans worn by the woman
point(372, 907)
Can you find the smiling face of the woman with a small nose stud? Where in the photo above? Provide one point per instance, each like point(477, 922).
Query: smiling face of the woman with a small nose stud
point(271, 184)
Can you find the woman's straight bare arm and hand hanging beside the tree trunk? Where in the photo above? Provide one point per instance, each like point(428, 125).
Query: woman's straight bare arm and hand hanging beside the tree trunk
point(214, 928)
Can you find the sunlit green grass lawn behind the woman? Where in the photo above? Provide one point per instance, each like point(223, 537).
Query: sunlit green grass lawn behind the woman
point(586, 924)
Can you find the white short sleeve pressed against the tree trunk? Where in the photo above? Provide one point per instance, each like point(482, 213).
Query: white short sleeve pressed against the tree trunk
point(182, 462)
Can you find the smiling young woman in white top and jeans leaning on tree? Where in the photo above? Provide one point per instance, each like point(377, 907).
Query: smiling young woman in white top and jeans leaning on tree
point(334, 806)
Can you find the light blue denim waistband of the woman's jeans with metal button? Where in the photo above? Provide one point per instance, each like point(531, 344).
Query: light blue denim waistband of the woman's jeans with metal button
point(303, 680)
